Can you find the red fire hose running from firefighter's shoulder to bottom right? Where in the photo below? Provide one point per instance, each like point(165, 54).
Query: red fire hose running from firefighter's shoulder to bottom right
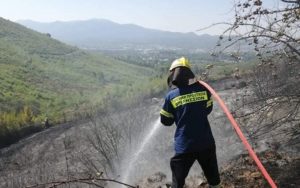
point(241, 135)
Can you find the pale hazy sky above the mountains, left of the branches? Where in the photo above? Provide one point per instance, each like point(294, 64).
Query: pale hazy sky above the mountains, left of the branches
point(170, 15)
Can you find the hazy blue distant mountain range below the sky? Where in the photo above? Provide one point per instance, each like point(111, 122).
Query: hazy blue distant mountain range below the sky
point(104, 34)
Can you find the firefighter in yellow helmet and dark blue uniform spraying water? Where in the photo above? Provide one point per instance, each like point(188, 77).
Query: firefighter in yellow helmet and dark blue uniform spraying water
point(187, 104)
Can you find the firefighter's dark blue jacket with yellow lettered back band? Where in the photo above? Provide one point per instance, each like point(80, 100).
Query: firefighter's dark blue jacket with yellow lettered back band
point(188, 107)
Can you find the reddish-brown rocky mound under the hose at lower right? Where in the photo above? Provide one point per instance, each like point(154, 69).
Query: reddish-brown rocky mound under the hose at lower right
point(242, 172)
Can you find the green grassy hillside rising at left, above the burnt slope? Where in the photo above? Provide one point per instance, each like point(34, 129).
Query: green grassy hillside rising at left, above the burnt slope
point(57, 80)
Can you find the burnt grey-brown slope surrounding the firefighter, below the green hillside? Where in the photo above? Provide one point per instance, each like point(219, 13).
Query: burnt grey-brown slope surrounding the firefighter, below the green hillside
point(44, 157)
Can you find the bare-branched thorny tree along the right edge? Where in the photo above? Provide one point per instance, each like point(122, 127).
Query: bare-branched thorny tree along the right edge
point(273, 101)
